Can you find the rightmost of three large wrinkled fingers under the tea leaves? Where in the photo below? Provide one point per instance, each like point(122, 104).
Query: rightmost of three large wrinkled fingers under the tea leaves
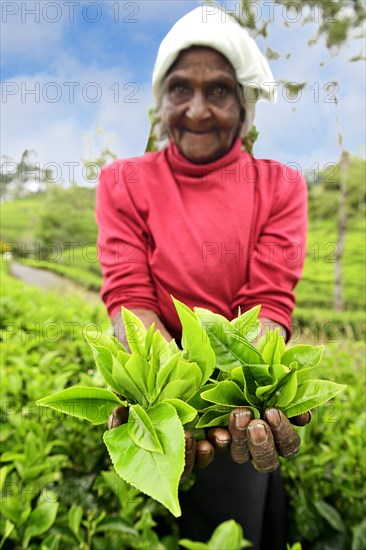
point(287, 441)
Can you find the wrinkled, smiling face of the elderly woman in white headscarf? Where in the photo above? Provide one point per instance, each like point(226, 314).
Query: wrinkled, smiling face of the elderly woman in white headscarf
point(200, 106)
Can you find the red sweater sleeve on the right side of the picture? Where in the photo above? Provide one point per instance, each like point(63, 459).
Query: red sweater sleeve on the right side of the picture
point(277, 256)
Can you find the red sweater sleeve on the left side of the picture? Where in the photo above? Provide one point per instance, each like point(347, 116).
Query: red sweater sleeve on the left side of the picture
point(123, 239)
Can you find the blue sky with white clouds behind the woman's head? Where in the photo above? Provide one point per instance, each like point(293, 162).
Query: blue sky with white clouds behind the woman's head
point(89, 65)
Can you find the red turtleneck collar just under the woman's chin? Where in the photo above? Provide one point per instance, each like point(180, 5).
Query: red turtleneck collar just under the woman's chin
point(187, 172)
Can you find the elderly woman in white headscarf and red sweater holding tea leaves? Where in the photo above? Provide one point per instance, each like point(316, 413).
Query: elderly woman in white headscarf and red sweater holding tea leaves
point(206, 222)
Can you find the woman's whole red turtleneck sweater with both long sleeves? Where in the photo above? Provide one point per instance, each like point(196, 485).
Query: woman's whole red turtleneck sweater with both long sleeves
point(219, 235)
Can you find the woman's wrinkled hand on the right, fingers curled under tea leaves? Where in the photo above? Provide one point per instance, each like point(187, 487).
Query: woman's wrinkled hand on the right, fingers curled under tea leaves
point(262, 441)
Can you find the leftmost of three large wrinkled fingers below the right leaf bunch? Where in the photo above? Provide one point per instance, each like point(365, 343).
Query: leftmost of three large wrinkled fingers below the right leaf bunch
point(238, 423)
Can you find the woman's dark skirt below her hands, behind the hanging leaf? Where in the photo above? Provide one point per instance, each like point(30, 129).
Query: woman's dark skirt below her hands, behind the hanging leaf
point(226, 490)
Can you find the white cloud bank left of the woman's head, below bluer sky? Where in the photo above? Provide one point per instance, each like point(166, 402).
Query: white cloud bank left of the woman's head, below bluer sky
point(56, 130)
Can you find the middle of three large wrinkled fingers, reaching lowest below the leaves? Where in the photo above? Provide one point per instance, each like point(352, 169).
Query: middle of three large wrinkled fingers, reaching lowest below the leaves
point(262, 447)
